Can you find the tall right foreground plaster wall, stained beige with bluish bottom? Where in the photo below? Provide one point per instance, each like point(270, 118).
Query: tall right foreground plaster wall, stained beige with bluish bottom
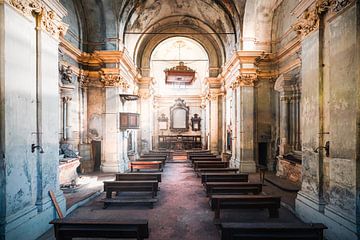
point(334, 180)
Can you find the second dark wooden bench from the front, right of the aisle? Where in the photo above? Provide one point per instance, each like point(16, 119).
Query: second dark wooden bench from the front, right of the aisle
point(272, 203)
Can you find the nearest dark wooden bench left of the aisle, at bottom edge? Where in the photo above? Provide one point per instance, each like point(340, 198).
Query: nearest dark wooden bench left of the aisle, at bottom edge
point(66, 229)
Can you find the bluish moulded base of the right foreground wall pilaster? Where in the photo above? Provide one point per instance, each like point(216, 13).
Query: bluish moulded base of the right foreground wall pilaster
point(339, 226)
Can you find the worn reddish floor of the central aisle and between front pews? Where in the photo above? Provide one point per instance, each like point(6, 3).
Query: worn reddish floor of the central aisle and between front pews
point(182, 210)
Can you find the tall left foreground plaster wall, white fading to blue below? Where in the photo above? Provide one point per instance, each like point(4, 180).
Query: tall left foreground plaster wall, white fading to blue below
point(28, 176)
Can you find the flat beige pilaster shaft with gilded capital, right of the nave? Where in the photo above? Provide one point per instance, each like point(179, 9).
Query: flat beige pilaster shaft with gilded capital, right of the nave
point(247, 127)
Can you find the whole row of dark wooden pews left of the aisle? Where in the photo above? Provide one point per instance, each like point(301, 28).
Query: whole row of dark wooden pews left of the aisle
point(120, 191)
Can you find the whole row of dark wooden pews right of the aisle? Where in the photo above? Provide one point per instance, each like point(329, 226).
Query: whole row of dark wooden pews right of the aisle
point(228, 189)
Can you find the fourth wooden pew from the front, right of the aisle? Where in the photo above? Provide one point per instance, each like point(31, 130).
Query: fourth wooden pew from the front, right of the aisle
point(224, 177)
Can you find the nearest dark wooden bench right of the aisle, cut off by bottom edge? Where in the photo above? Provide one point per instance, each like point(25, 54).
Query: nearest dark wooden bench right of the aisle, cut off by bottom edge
point(272, 231)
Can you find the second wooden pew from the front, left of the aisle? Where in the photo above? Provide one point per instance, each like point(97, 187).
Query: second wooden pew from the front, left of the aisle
point(130, 186)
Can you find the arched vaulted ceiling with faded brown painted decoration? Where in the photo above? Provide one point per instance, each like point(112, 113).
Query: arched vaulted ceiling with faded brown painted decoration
point(107, 24)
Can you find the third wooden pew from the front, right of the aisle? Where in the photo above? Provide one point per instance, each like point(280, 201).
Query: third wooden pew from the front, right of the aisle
point(227, 188)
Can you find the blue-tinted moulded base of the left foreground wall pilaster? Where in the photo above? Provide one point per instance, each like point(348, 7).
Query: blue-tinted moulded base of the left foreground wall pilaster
point(21, 225)
